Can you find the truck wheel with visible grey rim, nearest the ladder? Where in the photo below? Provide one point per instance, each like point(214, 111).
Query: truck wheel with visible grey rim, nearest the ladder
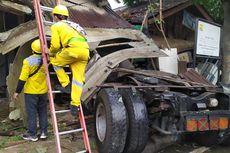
point(110, 122)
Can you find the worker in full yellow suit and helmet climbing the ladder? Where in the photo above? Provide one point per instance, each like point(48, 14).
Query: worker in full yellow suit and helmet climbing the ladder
point(69, 47)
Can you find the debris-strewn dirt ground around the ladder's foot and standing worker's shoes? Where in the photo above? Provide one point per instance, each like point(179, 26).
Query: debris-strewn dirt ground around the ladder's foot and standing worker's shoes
point(69, 143)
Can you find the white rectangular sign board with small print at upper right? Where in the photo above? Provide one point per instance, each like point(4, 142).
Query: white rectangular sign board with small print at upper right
point(208, 39)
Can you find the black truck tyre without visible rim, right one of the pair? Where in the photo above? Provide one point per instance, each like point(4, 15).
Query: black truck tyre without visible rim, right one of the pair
point(138, 121)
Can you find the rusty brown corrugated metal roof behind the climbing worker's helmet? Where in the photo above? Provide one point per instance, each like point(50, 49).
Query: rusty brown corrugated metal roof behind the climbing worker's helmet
point(87, 13)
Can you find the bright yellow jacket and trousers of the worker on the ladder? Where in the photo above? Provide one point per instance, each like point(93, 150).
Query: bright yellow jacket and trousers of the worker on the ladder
point(74, 52)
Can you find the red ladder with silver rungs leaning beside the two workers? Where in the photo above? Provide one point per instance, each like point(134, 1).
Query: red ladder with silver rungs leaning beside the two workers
point(45, 56)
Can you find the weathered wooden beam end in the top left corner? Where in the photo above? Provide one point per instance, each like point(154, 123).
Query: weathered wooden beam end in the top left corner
point(14, 8)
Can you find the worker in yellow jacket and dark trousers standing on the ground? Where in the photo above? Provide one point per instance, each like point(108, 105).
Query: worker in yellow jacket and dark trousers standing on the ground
point(33, 80)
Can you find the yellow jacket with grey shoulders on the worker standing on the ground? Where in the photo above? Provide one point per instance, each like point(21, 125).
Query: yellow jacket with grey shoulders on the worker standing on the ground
point(35, 84)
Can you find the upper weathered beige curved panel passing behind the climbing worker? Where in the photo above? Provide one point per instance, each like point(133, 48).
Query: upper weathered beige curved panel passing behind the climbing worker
point(28, 31)
